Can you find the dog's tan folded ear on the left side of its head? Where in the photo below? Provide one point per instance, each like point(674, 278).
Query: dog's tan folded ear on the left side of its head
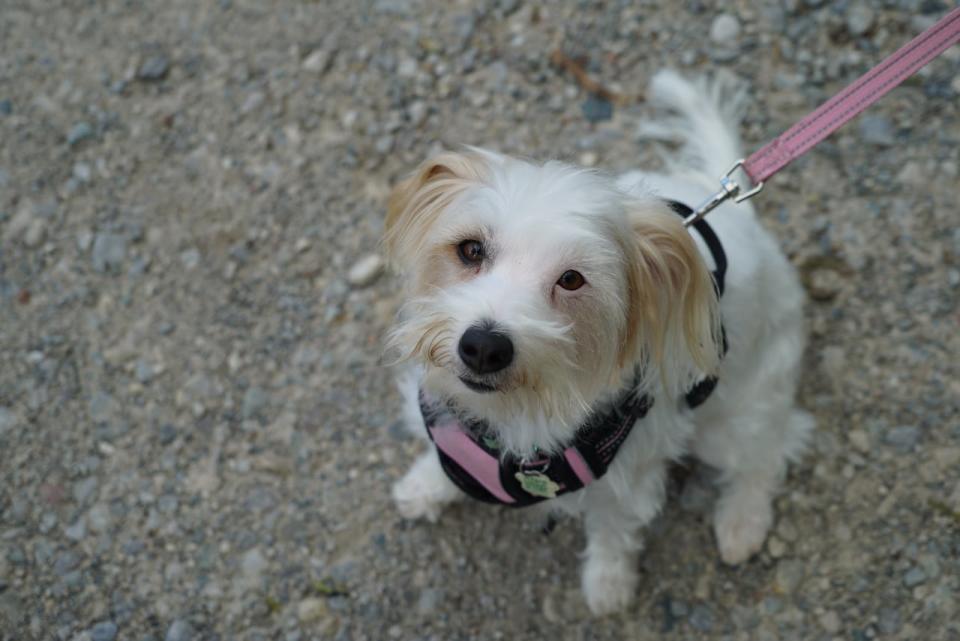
point(417, 201)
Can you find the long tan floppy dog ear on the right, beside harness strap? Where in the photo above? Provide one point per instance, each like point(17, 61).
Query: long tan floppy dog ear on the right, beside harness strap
point(673, 316)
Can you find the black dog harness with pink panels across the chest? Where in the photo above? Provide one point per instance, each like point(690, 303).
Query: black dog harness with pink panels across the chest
point(472, 457)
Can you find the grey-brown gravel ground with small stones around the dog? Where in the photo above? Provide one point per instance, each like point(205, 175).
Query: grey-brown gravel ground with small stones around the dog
point(196, 439)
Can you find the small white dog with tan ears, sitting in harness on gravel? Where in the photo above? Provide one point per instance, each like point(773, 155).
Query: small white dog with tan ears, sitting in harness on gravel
point(570, 342)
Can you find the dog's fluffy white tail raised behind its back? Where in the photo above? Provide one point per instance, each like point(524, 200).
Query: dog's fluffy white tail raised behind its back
point(704, 119)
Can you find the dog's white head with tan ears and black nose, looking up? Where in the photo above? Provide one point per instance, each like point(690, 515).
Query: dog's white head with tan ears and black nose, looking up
point(536, 288)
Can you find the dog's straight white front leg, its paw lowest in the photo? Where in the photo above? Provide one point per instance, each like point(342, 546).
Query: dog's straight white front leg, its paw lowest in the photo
point(613, 523)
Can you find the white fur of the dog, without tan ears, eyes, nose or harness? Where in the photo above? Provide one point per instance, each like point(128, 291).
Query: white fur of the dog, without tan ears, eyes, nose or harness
point(545, 219)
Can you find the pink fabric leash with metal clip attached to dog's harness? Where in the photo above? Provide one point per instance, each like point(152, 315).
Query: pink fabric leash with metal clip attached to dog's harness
point(835, 113)
